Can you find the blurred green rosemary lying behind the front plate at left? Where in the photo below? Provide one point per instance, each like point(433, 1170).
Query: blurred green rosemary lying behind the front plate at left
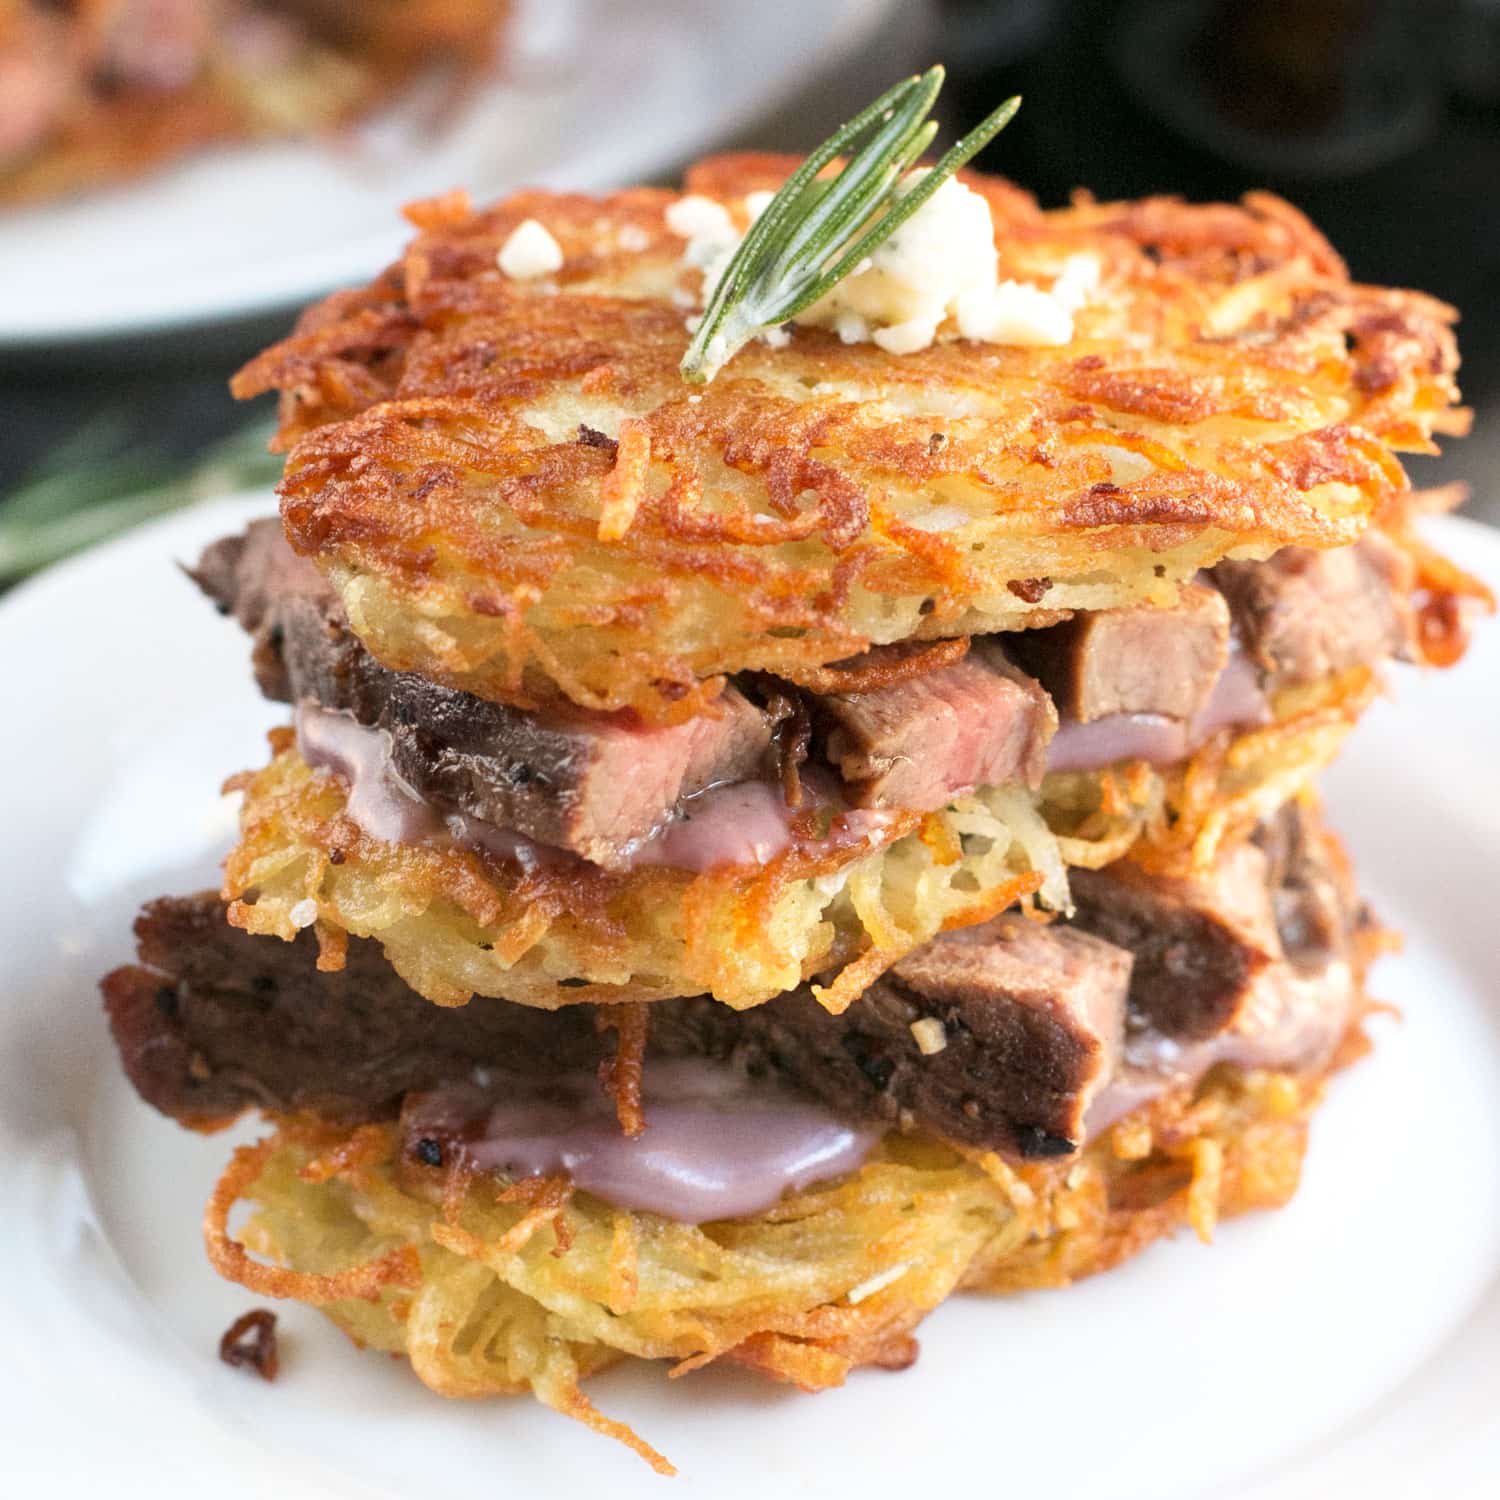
point(98, 482)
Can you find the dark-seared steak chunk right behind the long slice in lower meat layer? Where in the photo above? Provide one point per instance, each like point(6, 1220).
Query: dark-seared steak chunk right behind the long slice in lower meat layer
point(1199, 943)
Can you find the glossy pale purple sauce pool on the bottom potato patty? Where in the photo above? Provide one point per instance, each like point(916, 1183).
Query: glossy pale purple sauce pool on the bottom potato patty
point(718, 1145)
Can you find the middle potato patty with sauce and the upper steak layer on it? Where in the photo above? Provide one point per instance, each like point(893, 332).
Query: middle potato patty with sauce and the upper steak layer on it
point(781, 835)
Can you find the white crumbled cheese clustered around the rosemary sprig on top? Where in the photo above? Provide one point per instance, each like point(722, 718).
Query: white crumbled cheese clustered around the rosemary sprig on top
point(935, 278)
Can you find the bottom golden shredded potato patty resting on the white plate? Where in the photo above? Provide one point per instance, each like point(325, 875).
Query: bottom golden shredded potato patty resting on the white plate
point(494, 1292)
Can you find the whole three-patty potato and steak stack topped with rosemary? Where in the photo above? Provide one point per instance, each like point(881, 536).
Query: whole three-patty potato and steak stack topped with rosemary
point(797, 794)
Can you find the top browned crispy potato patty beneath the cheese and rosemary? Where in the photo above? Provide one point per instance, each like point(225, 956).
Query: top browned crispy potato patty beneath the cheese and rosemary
point(515, 493)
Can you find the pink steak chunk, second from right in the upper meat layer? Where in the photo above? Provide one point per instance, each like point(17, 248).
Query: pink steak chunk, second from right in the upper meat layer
point(1132, 661)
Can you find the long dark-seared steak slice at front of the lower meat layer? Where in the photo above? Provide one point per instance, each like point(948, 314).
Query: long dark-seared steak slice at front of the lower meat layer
point(214, 1022)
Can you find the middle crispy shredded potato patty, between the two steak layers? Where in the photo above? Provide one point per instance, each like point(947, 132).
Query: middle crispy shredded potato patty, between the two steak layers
point(457, 923)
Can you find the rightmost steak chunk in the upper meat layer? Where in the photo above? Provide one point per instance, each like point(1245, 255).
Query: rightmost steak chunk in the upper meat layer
point(1306, 616)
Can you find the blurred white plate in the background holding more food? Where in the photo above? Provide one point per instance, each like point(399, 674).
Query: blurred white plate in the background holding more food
point(593, 94)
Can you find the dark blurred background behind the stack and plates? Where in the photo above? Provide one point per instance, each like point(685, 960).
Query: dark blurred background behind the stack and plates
point(1379, 118)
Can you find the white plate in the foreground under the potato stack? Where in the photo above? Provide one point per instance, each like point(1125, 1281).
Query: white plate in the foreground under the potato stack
point(1348, 1346)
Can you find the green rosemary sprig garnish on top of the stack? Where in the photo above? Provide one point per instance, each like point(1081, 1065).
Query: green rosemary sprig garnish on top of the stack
point(818, 230)
